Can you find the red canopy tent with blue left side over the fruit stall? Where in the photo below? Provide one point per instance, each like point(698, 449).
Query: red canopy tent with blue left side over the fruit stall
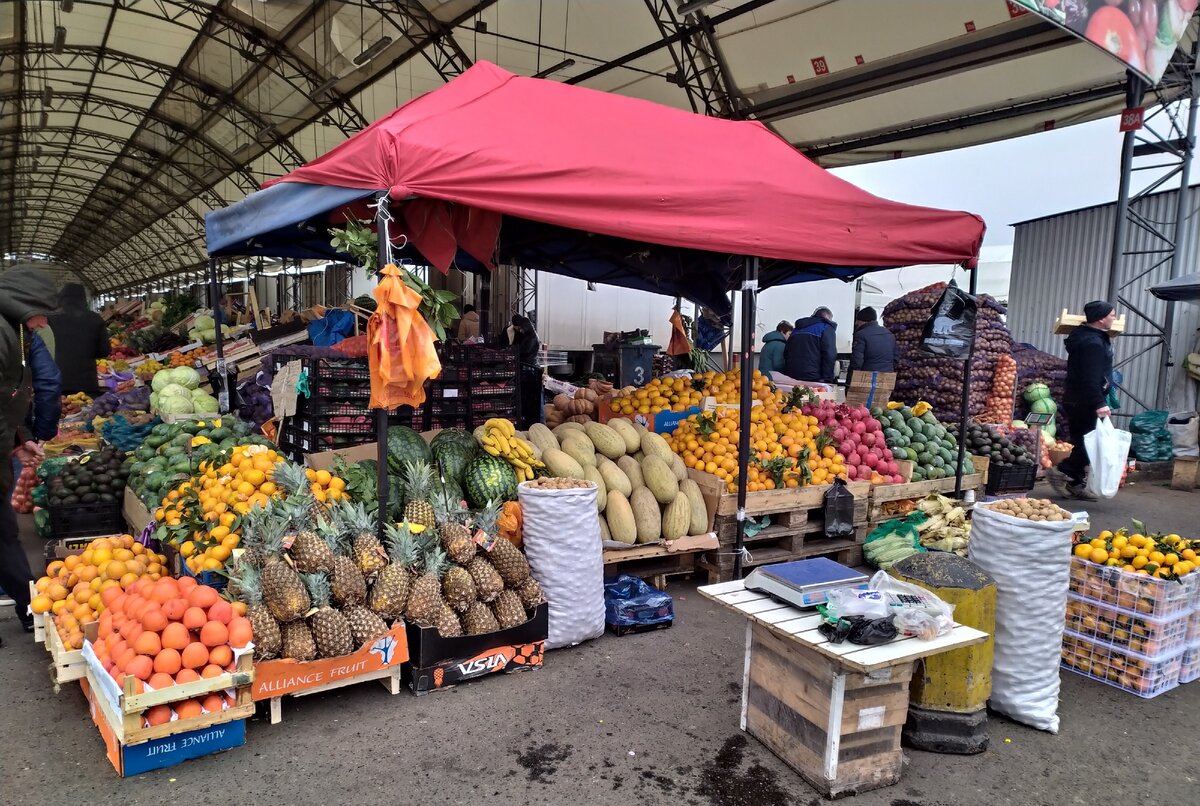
point(599, 187)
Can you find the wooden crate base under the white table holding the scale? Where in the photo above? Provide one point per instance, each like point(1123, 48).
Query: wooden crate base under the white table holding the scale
point(838, 730)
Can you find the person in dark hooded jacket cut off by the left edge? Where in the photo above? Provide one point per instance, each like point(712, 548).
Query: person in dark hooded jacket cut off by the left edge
point(27, 296)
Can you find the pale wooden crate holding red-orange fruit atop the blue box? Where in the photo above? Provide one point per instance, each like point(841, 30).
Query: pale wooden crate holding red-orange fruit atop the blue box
point(127, 720)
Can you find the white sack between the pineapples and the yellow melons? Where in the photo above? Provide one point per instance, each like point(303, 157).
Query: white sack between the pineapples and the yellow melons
point(562, 542)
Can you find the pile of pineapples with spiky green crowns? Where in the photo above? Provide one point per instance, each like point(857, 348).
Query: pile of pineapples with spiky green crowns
point(319, 584)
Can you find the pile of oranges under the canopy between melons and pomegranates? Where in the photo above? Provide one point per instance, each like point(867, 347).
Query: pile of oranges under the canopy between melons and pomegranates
point(789, 449)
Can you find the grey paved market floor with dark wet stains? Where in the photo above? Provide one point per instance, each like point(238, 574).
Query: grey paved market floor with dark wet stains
point(641, 720)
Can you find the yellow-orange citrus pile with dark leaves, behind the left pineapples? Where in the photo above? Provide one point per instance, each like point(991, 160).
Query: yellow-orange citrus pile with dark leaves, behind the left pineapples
point(203, 515)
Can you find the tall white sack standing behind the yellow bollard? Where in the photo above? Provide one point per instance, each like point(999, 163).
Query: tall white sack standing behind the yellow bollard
point(1030, 562)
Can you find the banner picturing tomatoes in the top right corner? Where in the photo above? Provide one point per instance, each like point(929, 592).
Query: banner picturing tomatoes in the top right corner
point(1143, 34)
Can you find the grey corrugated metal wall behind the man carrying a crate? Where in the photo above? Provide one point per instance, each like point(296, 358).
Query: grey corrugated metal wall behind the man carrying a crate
point(1063, 262)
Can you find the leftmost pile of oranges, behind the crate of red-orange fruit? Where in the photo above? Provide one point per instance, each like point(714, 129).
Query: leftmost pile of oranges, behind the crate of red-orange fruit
point(74, 590)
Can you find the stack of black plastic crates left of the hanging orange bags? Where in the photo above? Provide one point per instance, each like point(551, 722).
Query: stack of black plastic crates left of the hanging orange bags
point(335, 414)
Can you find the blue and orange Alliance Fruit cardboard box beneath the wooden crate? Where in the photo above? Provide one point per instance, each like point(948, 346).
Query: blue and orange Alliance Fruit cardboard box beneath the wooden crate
point(165, 751)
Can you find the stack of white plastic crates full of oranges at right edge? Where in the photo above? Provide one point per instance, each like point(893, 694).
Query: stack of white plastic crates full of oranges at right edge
point(1136, 633)
